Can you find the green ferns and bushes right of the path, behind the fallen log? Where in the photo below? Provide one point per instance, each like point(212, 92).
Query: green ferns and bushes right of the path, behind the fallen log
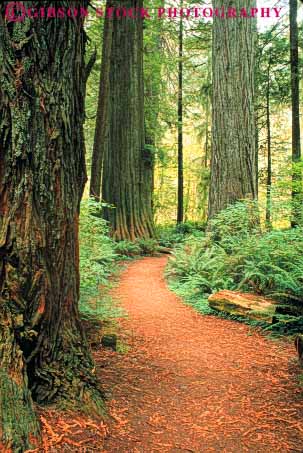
point(237, 255)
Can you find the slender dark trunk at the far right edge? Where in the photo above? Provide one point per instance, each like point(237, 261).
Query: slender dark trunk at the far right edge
point(295, 98)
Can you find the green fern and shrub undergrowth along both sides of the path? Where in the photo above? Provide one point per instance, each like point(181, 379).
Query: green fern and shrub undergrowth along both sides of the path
point(235, 254)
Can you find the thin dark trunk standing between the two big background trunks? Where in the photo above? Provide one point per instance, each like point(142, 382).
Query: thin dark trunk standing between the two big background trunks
point(180, 210)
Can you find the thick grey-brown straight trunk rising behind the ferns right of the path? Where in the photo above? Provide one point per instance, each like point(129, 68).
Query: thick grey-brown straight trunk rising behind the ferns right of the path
point(233, 163)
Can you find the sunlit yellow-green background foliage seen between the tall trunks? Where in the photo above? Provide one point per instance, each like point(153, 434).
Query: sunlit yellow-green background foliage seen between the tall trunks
point(162, 67)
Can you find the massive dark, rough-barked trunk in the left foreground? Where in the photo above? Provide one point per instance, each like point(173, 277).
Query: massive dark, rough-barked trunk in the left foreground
point(43, 351)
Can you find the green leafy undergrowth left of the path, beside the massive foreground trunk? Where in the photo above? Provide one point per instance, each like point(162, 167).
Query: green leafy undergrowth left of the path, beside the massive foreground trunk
point(100, 262)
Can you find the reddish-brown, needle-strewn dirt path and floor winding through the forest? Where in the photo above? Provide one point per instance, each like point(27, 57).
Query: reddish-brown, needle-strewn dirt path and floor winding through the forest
point(186, 382)
